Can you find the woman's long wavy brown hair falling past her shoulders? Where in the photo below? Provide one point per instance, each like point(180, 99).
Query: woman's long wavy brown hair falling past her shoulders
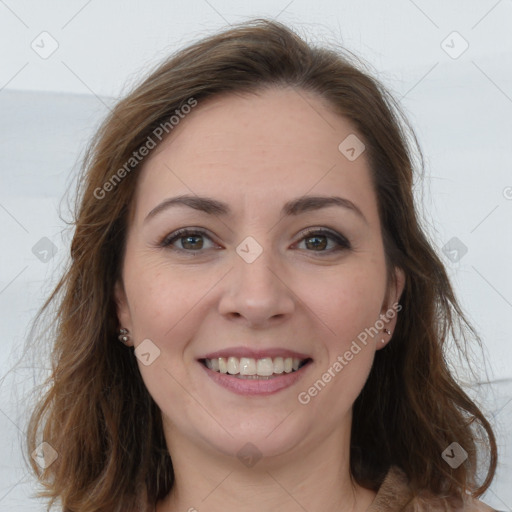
point(95, 410)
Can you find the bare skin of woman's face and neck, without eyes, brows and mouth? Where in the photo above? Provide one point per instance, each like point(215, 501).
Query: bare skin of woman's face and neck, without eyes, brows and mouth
point(255, 152)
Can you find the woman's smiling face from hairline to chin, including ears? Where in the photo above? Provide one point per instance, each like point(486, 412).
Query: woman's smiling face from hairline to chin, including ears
point(264, 276)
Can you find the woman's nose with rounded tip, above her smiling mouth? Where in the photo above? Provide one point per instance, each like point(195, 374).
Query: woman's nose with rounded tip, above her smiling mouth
point(257, 293)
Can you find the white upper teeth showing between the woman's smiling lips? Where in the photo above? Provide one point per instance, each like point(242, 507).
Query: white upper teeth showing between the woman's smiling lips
point(250, 368)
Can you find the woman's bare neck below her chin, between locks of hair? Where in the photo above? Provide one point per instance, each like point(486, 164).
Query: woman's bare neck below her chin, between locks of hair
point(316, 477)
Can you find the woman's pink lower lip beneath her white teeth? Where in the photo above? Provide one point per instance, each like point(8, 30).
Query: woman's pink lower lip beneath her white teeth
point(255, 387)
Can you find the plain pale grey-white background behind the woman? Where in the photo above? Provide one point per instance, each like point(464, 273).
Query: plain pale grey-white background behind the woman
point(459, 103)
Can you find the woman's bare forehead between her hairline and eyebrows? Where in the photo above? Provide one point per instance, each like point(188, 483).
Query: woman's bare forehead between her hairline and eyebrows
point(257, 149)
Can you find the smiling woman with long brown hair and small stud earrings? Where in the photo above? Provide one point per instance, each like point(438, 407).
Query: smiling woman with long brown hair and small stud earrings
point(246, 228)
